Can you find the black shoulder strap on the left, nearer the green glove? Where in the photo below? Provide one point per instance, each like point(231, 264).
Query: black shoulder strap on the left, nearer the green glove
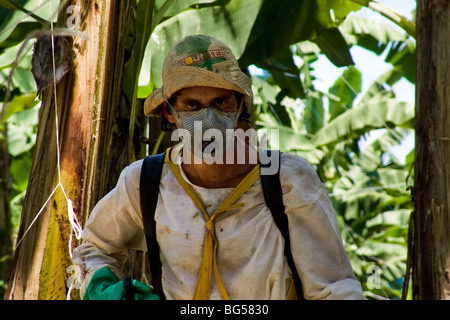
point(149, 191)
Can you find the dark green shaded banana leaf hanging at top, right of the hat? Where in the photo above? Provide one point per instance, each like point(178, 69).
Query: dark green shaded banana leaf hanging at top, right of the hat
point(285, 22)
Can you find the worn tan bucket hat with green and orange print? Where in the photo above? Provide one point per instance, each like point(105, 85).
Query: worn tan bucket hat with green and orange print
point(198, 60)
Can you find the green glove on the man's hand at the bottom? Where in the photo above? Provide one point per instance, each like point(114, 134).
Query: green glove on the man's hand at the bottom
point(105, 285)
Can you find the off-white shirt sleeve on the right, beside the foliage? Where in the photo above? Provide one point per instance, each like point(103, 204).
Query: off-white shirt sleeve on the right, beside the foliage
point(316, 244)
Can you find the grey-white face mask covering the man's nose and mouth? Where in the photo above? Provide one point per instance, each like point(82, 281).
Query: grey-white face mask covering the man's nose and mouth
point(207, 122)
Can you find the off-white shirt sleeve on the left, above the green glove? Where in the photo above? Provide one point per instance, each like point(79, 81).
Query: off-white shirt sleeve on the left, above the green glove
point(114, 227)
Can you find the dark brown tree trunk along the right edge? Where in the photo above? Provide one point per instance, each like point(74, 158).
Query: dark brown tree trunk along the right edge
point(431, 260)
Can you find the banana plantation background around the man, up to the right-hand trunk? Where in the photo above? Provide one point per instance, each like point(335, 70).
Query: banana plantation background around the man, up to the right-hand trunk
point(349, 130)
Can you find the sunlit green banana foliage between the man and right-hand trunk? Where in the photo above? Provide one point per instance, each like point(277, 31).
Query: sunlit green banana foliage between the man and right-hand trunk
point(368, 186)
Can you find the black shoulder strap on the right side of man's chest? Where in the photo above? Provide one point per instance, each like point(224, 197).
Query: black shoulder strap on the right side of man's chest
point(273, 195)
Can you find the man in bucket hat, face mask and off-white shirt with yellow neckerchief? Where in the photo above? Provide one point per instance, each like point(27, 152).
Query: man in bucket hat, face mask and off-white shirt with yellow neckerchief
point(216, 235)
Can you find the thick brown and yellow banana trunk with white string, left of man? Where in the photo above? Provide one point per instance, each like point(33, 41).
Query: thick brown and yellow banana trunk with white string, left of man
point(90, 140)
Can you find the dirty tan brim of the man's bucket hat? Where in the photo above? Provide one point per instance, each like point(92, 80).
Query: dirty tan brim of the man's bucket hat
point(186, 76)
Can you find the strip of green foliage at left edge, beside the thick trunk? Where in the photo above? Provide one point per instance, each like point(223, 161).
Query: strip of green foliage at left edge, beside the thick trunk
point(18, 120)
